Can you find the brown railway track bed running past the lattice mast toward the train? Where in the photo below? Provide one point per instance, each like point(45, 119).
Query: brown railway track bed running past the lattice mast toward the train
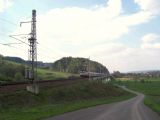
point(12, 87)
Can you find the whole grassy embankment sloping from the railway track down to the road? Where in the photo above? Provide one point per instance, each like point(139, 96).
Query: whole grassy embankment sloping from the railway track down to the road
point(54, 101)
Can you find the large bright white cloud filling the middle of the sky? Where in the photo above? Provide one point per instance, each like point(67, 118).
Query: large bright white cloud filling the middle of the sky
point(77, 26)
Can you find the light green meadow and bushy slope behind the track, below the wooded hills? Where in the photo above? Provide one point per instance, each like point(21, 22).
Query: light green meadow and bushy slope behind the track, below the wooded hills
point(13, 71)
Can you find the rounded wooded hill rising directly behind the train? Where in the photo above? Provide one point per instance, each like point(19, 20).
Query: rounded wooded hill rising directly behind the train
point(75, 65)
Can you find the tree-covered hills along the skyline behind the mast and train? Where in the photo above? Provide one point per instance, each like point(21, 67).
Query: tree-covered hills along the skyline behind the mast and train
point(67, 64)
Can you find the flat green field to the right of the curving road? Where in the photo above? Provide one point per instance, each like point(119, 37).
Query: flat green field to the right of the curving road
point(150, 87)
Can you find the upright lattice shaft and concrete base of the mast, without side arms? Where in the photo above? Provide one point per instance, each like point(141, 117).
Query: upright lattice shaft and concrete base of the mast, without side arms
point(32, 75)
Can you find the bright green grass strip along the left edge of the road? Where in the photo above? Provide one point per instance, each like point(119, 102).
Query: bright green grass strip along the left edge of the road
point(44, 111)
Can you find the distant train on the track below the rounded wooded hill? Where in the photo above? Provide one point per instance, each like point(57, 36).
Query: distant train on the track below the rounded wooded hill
point(92, 74)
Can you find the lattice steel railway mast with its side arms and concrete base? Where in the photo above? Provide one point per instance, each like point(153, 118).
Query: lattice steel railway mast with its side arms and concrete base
point(31, 70)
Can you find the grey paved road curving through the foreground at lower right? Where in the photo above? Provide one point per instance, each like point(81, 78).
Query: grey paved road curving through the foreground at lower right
point(132, 109)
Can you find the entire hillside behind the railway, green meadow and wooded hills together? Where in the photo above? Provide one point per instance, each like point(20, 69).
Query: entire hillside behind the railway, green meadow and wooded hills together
point(13, 68)
